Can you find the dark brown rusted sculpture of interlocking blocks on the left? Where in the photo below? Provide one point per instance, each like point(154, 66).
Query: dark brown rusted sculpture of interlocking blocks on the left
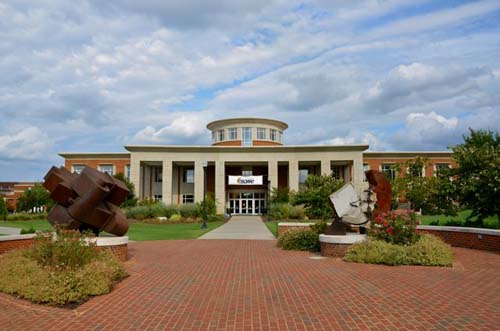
point(88, 201)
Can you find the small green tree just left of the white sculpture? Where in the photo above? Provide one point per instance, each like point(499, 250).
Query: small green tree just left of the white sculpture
point(315, 194)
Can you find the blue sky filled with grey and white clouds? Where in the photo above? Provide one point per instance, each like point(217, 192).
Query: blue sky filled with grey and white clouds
point(93, 76)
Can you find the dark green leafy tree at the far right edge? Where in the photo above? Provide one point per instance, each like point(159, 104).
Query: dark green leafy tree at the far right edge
point(478, 173)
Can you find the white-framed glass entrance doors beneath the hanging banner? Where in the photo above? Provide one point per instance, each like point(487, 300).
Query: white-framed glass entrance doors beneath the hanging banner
point(246, 203)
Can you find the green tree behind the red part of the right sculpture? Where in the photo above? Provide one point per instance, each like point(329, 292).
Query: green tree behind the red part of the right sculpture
point(431, 195)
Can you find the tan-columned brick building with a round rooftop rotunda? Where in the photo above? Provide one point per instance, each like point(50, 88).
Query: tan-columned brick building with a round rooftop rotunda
point(246, 159)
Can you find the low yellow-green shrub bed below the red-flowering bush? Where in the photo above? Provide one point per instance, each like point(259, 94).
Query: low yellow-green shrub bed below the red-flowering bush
point(429, 251)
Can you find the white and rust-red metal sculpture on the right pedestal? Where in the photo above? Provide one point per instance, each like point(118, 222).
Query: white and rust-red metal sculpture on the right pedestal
point(352, 210)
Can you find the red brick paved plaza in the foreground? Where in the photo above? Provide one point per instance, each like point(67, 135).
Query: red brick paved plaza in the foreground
point(226, 284)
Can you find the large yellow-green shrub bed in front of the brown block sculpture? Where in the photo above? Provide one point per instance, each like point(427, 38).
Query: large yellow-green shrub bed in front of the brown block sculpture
point(59, 269)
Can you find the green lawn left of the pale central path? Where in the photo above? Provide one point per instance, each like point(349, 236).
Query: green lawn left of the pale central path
point(137, 231)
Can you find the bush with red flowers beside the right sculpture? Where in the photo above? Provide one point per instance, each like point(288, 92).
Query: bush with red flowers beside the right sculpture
point(395, 227)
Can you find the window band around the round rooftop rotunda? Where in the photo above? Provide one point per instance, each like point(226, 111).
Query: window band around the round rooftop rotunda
point(247, 135)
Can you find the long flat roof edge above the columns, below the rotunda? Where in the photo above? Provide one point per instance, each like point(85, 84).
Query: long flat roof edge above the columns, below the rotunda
point(274, 148)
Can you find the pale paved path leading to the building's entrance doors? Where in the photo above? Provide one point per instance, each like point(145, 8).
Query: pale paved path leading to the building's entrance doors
point(241, 227)
